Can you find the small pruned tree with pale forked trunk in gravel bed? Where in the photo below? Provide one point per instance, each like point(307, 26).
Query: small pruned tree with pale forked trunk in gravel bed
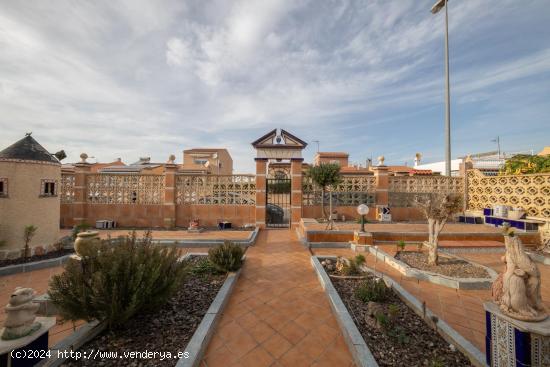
point(437, 209)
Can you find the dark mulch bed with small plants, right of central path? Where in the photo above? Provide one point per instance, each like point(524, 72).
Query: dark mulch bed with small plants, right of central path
point(405, 339)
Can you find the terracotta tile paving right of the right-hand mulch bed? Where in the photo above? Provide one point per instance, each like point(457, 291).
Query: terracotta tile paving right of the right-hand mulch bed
point(461, 309)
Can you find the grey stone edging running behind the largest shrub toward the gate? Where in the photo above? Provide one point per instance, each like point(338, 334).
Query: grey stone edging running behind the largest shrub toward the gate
point(50, 263)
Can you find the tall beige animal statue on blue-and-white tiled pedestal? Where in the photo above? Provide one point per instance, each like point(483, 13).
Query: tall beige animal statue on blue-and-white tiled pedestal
point(517, 290)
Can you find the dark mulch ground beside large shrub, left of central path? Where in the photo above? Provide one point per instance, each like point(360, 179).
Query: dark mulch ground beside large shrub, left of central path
point(168, 329)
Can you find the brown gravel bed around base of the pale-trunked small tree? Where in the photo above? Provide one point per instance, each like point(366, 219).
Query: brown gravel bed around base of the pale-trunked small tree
point(448, 266)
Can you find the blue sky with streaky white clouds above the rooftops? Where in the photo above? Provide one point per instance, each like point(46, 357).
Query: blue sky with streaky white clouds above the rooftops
point(151, 78)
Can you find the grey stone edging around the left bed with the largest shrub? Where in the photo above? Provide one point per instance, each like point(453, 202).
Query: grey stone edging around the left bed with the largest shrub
point(196, 346)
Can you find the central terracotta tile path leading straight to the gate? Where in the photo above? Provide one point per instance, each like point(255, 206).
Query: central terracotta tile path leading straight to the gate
point(278, 314)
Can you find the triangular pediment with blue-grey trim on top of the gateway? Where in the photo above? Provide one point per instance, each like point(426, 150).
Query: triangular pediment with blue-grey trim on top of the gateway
point(279, 144)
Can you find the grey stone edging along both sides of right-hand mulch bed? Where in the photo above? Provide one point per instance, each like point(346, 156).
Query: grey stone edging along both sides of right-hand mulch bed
point(446, 331)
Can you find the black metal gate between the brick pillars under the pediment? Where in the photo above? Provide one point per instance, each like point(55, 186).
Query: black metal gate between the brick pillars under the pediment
point(277, 209)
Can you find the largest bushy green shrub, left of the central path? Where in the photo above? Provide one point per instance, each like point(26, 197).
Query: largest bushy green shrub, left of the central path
point(113, 282)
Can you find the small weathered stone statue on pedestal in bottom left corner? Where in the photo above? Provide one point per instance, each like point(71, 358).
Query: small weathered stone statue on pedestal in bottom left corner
point(21, 314)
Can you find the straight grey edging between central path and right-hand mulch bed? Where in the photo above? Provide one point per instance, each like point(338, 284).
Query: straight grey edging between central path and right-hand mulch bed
point(361, 353)
